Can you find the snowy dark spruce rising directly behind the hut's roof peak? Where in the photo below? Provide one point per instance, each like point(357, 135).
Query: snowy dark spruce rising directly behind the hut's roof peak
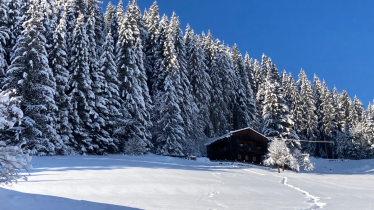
point(244, 105)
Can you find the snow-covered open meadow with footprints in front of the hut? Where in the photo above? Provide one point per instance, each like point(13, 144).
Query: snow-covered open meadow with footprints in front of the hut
point(155, 182)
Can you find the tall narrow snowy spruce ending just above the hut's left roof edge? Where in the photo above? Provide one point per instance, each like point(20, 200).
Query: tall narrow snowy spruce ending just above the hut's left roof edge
point(200, 82)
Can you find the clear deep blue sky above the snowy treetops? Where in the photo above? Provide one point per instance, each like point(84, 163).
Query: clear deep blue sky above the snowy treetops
point(333, 39)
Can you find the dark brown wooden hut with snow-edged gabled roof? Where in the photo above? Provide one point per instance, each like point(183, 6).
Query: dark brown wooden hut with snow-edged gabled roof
point(246, 145)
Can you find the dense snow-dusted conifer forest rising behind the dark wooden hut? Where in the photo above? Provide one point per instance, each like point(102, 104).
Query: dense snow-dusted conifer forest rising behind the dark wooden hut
point(132, 82)
